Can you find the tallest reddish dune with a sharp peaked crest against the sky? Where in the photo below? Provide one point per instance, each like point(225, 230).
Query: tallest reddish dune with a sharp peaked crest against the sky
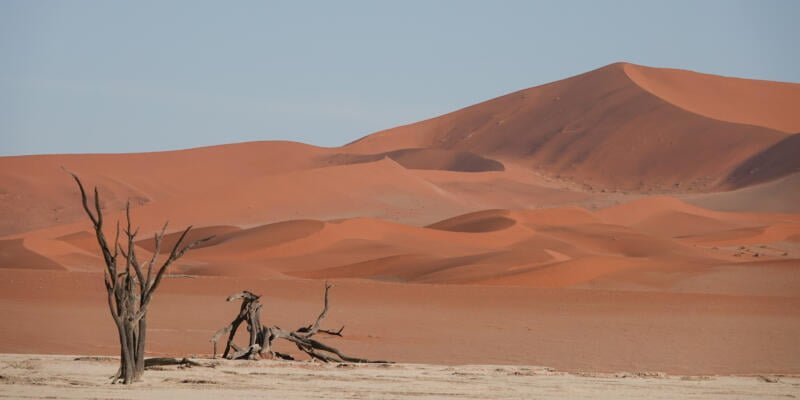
point(608, 128)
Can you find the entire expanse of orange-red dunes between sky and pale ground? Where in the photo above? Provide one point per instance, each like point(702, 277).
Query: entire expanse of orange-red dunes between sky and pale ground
point(667, 186)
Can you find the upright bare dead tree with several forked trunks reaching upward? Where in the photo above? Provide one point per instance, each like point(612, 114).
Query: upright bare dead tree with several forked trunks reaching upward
point(130, 284)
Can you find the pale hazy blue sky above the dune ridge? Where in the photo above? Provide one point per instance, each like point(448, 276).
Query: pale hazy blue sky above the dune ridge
point(113, 76)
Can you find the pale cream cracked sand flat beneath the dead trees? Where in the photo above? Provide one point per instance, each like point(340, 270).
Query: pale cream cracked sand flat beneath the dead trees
point(70, 377)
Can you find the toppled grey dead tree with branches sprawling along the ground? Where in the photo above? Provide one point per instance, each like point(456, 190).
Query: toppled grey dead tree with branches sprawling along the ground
point(263, 337)
